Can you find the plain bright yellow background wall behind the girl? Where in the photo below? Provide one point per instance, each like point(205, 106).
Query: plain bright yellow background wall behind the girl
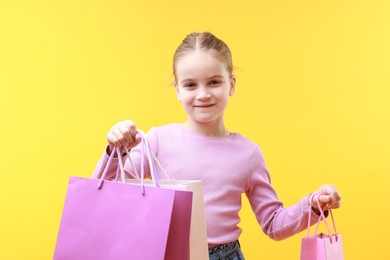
point(313, 91)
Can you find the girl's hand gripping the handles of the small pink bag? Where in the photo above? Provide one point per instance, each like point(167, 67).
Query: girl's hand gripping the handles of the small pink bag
point(330, 197)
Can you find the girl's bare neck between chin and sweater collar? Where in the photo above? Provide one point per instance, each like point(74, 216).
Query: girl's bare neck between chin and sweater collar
point(207, 129)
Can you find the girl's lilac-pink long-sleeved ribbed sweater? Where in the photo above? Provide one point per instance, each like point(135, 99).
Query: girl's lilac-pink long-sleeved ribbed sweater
point(227, 168)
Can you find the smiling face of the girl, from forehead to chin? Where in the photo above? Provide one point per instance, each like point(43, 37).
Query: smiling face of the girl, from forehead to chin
point(203, 85)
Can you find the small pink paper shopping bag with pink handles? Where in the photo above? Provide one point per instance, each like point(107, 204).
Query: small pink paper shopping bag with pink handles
point(322, 246)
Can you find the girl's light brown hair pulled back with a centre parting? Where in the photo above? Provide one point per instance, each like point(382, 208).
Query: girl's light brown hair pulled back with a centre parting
point(204, 41)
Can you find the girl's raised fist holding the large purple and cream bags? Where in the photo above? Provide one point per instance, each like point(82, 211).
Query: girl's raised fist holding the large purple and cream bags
point(123, 134)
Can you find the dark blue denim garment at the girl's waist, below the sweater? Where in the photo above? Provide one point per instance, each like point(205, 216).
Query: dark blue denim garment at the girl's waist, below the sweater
point(229, 251)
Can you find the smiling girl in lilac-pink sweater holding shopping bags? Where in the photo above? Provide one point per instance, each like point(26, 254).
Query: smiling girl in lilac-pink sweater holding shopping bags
point(201, 148)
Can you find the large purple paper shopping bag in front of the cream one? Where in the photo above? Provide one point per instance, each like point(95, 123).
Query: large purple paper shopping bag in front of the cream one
point(104, 220)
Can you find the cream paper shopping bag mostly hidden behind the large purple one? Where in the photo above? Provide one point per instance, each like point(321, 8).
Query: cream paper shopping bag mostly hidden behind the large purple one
point(198, 232)
